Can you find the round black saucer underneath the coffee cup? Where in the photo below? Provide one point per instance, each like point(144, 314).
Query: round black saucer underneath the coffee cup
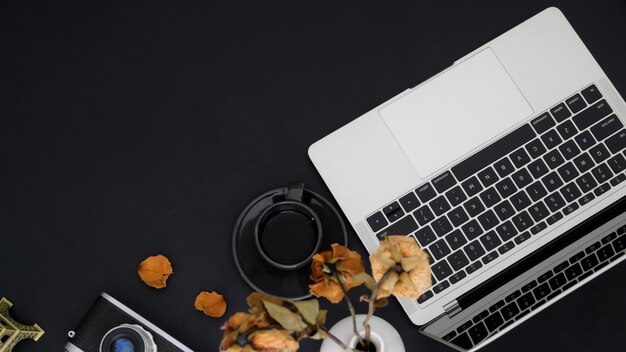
point(290, 284)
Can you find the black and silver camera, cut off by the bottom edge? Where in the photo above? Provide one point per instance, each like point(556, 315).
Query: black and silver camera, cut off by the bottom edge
point(110, 326)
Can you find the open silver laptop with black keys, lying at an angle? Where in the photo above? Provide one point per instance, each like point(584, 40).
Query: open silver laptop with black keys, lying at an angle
point(508, 168)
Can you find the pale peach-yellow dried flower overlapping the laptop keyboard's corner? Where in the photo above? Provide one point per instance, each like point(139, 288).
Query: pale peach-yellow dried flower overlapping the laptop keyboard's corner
point(413, 275)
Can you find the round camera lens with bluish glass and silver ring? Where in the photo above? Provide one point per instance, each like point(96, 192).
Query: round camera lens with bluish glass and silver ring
point(128, 338)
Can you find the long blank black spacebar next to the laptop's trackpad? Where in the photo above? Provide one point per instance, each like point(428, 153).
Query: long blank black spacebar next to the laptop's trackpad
point(493, 152)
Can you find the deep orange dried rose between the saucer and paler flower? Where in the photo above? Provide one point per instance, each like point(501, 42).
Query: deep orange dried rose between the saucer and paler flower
point(327, 266)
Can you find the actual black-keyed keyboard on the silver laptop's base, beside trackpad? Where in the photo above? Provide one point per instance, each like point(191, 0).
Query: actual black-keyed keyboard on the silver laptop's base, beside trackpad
point(513, 189)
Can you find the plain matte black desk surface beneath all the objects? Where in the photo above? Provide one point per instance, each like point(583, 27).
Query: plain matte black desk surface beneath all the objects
point(139, 129)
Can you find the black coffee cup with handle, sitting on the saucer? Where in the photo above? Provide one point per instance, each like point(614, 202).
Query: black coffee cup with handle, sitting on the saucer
point(288, 233)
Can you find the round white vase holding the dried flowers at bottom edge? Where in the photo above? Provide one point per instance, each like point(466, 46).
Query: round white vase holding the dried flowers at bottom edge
point(383, 335)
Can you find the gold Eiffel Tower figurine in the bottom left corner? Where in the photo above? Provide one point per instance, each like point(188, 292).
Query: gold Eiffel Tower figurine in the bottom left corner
point(12, 332)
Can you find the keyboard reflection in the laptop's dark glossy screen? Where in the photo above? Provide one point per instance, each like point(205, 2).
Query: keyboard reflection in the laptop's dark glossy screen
point(539, 290)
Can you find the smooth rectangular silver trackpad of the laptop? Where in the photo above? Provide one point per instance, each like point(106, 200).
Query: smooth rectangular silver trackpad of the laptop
point(455, 112)
